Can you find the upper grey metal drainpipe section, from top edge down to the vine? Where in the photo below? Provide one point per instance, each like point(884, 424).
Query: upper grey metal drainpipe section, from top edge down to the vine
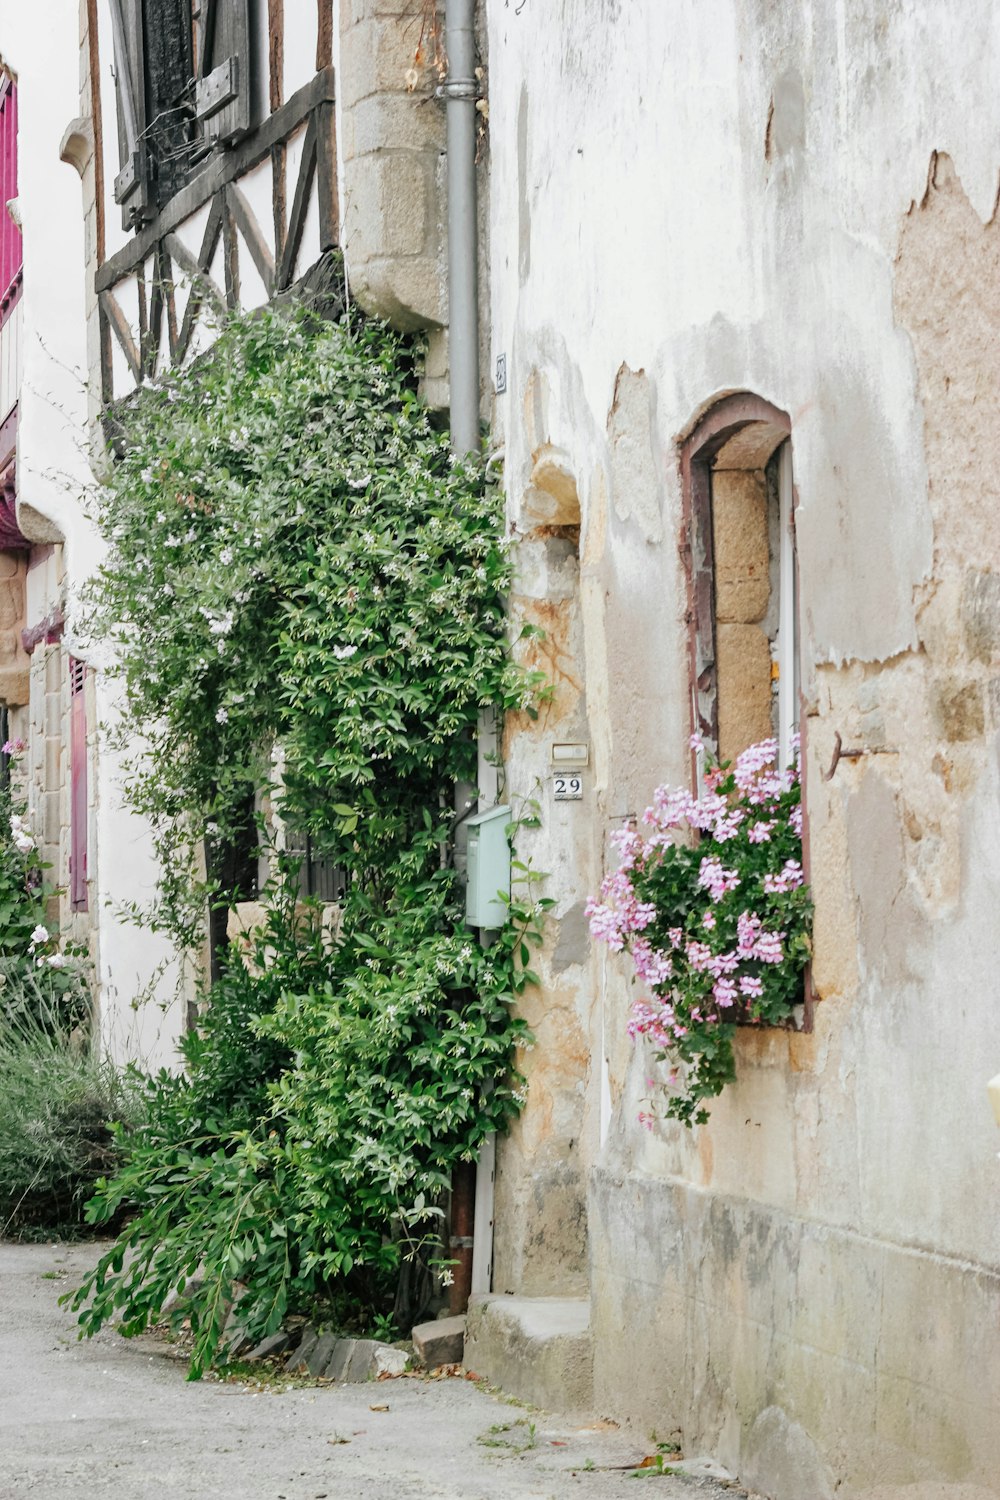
point(461, 92)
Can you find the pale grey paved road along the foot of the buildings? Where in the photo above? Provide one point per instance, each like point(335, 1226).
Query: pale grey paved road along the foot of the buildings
point(115, 1420)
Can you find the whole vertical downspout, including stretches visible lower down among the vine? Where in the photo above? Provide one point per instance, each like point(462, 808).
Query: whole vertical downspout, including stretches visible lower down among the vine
point(460, 92)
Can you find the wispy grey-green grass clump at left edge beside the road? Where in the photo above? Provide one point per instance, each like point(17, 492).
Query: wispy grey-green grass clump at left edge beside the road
point(58, 1102)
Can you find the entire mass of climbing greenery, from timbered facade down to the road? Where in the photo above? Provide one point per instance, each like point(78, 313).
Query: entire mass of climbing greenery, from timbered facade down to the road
point(335, 626)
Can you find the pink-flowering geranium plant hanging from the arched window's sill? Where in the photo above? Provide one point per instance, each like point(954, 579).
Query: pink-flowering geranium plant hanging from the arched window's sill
point(717, 925)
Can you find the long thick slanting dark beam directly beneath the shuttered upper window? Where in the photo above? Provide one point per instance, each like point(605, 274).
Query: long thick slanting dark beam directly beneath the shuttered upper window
point(218, 172)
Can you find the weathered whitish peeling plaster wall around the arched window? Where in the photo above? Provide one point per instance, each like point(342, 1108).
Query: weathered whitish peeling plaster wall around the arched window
point(690, 202)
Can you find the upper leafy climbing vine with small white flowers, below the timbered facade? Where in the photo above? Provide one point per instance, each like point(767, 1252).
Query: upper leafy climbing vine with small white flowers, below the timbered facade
point(298, 559)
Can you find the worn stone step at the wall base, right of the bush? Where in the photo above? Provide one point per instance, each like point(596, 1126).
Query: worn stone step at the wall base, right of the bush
point(537, 1349)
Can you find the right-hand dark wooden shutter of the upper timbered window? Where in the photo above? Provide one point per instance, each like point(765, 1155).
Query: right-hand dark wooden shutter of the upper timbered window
point(224, 95)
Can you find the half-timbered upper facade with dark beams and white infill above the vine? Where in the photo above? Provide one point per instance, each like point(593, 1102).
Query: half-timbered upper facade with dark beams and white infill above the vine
point(217, 170)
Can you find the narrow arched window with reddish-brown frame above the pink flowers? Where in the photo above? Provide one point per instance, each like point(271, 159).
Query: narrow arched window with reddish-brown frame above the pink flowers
point(737, 467)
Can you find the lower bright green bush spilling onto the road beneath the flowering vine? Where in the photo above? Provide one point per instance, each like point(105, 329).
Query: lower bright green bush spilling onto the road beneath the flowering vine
point(325, 1108)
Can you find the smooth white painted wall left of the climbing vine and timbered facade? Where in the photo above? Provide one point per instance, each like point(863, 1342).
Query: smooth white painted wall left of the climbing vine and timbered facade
point(56, 479)
